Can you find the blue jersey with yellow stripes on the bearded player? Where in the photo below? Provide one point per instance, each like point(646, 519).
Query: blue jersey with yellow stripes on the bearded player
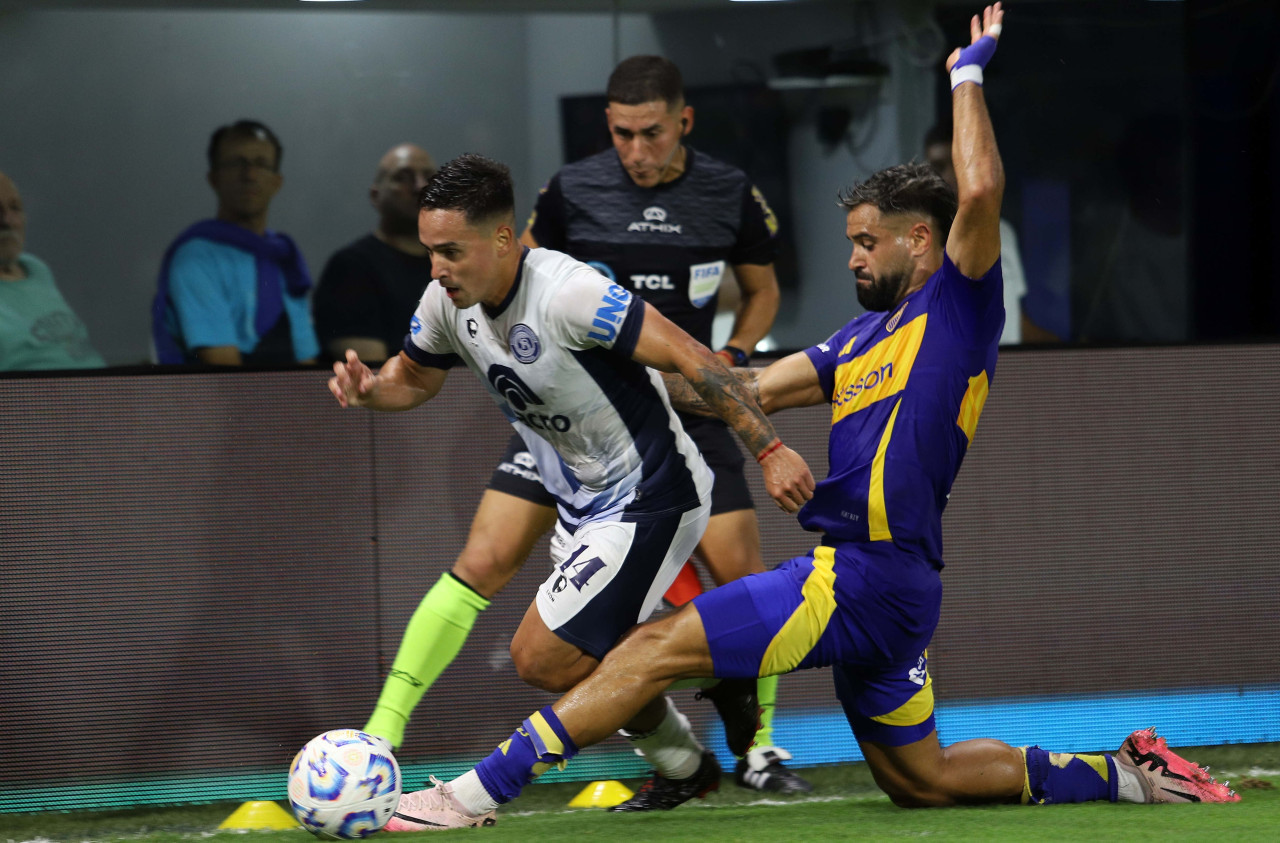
point(907, 388)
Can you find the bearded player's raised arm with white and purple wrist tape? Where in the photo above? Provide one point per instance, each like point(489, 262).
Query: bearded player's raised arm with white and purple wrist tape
point(975, 240)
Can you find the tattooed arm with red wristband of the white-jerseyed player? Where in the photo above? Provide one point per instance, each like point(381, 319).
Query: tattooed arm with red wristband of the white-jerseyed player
point(668, 349)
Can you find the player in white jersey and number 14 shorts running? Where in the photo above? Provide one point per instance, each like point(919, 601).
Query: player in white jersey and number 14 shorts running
point(570, 360)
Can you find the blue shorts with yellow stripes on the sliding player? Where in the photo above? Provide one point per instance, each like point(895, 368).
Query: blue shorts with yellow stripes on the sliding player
point(867, 611)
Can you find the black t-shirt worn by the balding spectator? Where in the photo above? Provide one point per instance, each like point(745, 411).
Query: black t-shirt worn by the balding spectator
point(369, 290)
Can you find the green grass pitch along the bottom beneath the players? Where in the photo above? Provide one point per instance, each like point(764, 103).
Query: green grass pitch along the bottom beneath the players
point(844, 807)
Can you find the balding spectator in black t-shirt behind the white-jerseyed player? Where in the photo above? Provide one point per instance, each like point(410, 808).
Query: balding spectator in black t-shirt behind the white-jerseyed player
point(371, 288)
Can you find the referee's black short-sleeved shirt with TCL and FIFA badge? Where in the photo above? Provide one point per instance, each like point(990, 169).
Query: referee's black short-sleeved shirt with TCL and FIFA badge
point(670, 244)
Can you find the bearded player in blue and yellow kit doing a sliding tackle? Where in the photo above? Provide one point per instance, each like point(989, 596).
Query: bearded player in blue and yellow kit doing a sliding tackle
point(907, 383)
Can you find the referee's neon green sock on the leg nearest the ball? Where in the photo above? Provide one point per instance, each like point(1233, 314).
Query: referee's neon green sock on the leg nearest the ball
point(433, 639)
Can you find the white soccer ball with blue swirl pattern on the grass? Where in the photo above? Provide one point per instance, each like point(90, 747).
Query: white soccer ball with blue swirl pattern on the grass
point(345, 785)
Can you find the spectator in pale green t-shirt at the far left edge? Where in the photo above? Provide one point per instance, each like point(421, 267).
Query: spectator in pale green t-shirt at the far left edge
point(38, 327)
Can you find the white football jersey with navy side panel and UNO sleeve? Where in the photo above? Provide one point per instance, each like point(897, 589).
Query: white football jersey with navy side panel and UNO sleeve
point(556, 358)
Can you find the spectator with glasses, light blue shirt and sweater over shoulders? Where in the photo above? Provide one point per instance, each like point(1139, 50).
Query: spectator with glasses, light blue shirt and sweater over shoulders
point(231, 292)
